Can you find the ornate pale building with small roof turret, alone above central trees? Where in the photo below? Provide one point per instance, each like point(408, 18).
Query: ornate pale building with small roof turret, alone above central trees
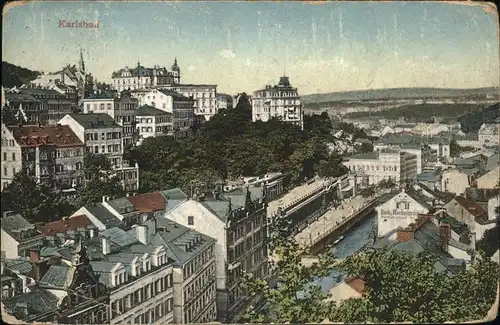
point(281, 101)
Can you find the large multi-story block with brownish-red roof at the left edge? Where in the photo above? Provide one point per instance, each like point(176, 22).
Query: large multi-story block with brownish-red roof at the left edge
point(52, 154)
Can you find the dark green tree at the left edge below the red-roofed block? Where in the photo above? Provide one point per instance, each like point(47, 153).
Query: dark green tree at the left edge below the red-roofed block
point(35, 202)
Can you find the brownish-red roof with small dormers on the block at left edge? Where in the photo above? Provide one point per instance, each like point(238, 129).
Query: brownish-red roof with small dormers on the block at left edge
point(55, 135)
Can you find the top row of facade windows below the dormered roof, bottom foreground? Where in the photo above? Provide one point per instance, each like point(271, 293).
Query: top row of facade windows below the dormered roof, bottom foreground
point(141, 295)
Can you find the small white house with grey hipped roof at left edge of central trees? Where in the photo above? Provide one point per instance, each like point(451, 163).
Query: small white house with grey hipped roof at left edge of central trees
point(153, 122)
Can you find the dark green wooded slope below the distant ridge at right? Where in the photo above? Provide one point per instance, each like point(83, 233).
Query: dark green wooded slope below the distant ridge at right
point(422, 112)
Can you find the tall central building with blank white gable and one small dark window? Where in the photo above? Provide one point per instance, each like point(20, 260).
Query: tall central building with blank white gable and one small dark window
point(237, 221)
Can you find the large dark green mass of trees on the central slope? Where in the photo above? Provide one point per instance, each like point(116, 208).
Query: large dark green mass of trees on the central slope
point(230, 145)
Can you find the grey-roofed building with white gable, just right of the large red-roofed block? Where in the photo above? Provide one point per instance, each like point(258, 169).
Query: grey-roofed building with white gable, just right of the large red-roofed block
point(102, 135)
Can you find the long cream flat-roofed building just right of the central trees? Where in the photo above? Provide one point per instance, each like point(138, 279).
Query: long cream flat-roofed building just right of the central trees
point(395, 165)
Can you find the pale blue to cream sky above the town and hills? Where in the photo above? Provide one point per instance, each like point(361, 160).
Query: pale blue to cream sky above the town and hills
point(242, 46)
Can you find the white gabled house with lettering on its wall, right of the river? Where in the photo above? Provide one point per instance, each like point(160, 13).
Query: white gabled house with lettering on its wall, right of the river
point(400, 211)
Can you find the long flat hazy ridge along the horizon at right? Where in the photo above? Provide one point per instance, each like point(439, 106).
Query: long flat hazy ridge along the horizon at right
point(399, 93)
